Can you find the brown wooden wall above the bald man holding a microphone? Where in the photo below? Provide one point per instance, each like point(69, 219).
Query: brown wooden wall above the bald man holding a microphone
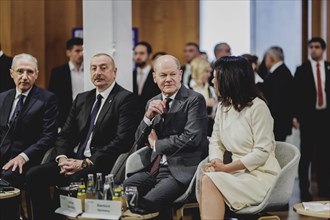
point(167, 25)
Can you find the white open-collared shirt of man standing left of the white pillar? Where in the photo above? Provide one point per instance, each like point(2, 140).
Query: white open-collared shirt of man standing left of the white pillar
point(77, 79)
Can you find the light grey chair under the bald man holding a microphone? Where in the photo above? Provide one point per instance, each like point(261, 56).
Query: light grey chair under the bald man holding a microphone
point(136, 161)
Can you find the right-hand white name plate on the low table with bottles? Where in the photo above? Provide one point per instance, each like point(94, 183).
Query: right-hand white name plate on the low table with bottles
point(102, 209)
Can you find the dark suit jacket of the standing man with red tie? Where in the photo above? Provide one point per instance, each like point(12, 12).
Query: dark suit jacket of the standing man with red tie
point(305, 91)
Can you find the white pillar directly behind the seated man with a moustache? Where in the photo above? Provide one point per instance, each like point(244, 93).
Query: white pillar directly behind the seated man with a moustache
point(108, 29)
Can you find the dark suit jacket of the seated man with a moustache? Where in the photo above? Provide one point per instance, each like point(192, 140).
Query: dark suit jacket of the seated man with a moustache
point(113, 132)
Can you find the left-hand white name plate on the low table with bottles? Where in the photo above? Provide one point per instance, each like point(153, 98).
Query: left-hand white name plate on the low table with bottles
point(69, 206)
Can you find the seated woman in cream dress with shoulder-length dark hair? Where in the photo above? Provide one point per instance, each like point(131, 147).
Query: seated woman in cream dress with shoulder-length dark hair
point(244, 127)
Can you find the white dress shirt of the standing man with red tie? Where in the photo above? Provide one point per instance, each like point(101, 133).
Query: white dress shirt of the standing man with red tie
point(322, 71)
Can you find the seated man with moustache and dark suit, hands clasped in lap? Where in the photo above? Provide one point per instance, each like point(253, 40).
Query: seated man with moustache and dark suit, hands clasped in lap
point(100, 127)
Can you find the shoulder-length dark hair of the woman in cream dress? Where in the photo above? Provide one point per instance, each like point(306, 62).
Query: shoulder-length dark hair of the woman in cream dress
point(236, 84)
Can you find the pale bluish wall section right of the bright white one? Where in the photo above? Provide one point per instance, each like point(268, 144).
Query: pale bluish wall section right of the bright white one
point(277, 23)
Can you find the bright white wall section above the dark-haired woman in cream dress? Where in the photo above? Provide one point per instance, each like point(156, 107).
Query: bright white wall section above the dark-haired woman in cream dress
point(225, 21)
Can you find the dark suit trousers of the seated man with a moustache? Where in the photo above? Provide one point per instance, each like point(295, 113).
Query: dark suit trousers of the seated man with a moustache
point(40, 178)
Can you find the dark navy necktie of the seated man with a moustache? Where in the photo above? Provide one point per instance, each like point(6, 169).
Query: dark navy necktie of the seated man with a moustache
point(82, 146)
